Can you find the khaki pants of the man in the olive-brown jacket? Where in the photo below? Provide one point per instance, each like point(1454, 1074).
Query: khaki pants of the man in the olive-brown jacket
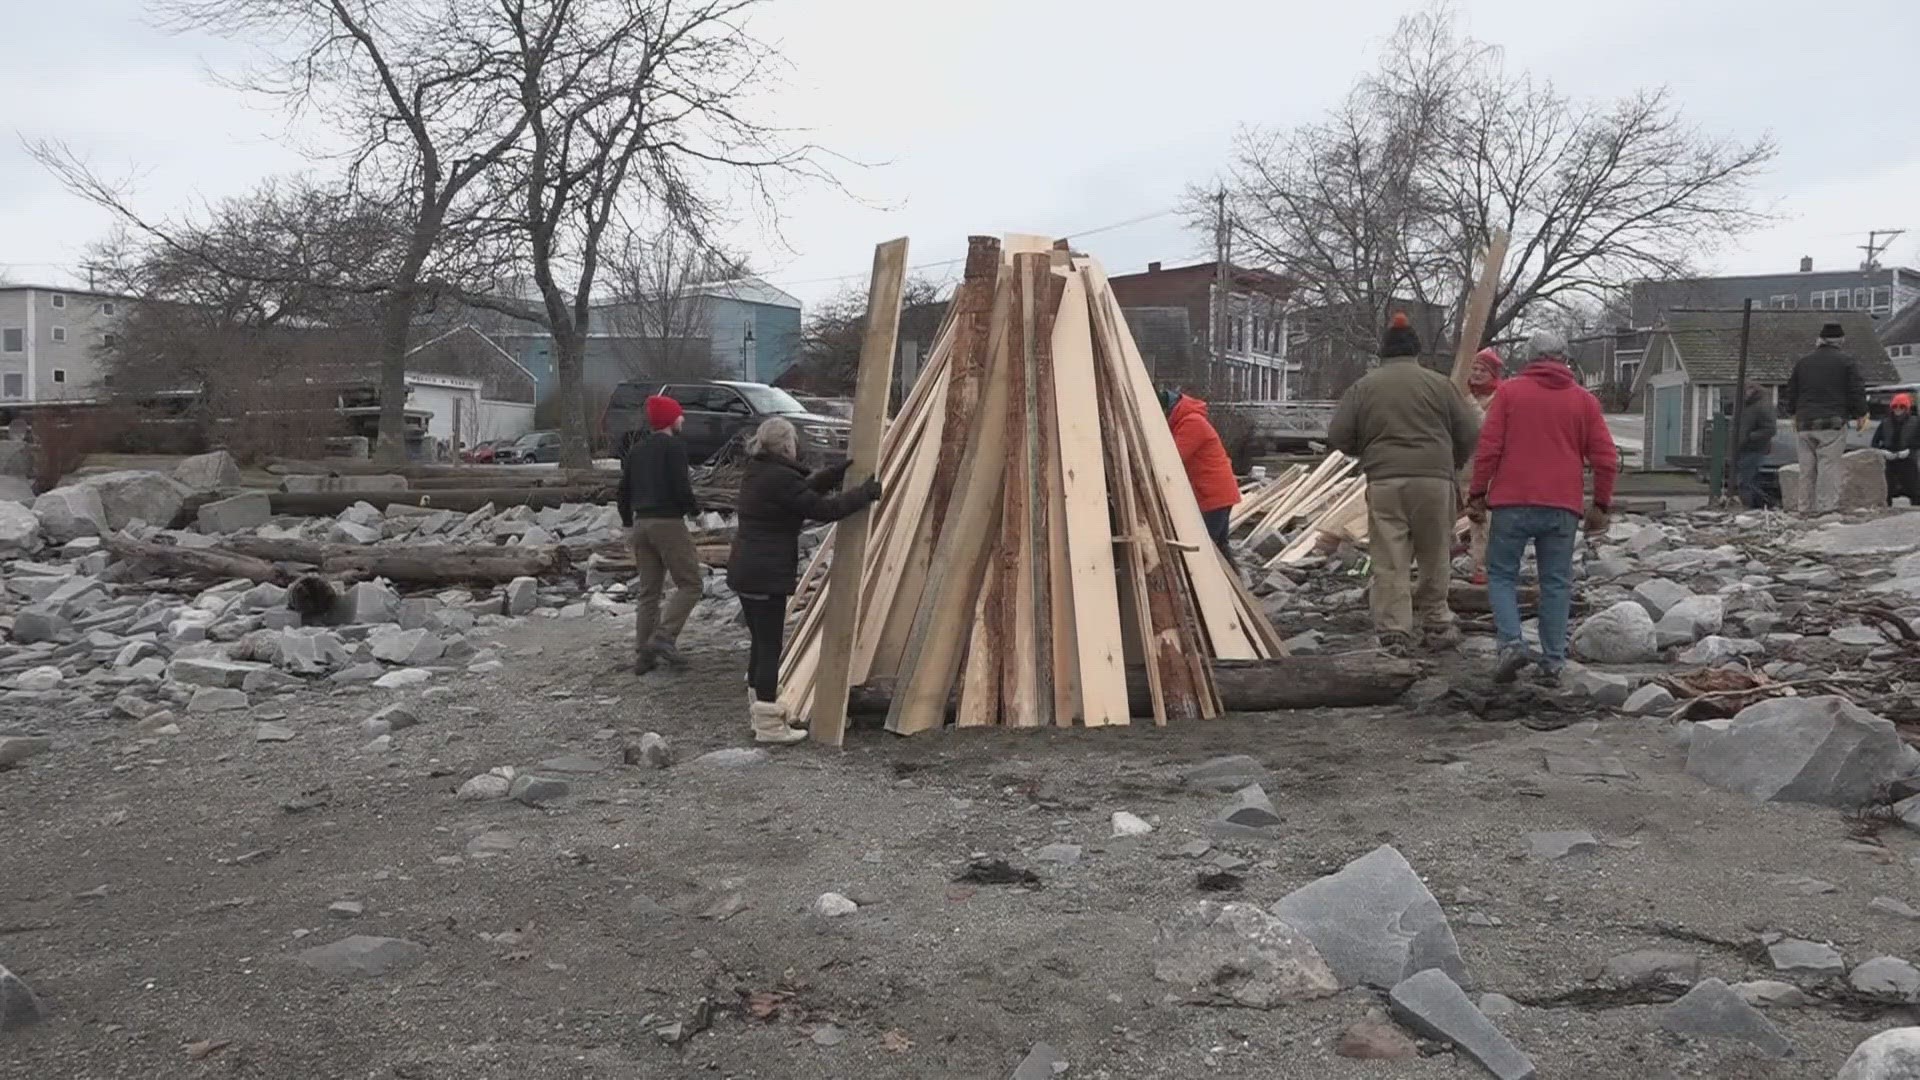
point(1410, 522)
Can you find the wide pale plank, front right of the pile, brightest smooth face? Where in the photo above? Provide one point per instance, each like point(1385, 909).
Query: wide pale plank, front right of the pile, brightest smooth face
point(1090, 541)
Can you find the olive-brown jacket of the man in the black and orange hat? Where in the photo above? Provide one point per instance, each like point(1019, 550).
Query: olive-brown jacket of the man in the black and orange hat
point(1404, 420)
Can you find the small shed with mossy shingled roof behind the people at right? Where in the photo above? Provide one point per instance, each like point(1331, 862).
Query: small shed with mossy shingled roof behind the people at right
point(1694, 360)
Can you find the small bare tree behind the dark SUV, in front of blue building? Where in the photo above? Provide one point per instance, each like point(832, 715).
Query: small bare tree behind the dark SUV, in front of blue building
point(660, 312)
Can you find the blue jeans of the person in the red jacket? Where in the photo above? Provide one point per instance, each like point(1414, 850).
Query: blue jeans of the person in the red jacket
point(1554, 533)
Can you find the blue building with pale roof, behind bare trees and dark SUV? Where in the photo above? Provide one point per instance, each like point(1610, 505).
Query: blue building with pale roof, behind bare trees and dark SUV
point(748, 328)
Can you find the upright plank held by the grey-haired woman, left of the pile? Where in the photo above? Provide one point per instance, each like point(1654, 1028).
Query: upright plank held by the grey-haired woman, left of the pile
point(875, 383)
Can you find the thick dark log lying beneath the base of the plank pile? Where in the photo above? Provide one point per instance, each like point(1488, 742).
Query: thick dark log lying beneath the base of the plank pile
point(1245, 685)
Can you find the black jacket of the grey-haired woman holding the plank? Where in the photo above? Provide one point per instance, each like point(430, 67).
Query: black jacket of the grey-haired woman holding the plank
point(777, 499)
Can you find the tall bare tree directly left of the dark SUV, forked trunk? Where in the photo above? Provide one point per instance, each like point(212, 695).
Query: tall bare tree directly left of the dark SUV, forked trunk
point(631, 103)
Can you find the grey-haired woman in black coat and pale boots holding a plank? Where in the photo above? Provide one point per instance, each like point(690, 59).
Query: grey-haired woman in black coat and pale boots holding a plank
point(777, 499)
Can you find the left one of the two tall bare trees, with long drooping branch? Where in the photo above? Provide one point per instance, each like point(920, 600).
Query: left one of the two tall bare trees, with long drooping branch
point(427, 97)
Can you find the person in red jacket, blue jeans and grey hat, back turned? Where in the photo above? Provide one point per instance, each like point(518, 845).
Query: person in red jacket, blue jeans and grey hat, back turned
point(1543, 433)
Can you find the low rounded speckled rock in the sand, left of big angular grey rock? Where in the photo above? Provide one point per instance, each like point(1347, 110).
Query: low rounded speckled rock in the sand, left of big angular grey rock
point(1239, 954)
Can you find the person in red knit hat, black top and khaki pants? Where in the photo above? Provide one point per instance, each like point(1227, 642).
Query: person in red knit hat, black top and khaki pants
point(656, 501)
